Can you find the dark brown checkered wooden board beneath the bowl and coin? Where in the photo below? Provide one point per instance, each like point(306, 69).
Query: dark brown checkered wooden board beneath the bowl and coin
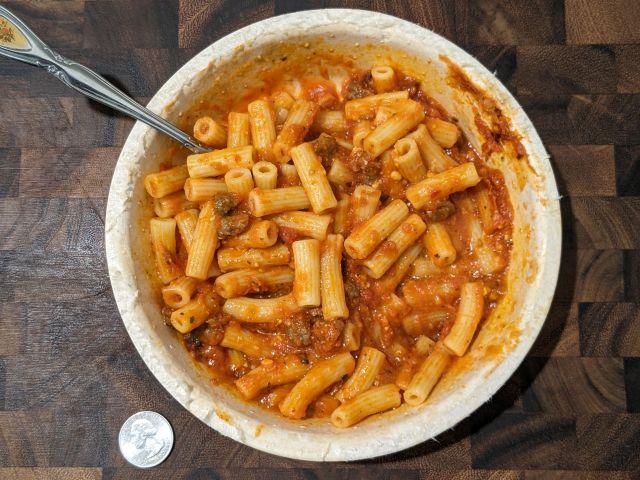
point(69, 375)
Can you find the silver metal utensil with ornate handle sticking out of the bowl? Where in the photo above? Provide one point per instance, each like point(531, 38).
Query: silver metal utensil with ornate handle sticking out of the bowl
point(17, 41)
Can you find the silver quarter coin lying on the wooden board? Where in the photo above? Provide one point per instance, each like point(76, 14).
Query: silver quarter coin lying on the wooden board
point(145, 439)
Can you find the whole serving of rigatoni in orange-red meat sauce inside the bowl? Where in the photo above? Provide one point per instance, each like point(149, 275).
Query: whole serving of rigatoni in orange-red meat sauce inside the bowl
point(340, 216)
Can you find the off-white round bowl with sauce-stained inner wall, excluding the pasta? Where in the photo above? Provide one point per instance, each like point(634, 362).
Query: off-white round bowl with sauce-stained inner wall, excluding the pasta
point(505, 337)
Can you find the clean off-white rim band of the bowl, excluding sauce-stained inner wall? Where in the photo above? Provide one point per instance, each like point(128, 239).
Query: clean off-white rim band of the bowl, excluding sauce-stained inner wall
point(395, 439)
